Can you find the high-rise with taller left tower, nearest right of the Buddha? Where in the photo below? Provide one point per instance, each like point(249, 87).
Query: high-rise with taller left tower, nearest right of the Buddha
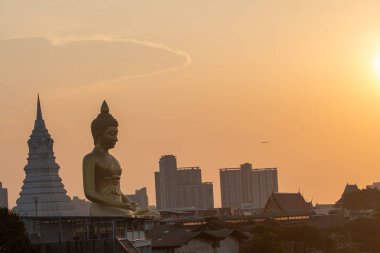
point(181, 187)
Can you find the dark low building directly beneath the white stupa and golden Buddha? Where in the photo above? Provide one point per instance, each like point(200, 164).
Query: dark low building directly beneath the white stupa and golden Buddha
point(78, 234)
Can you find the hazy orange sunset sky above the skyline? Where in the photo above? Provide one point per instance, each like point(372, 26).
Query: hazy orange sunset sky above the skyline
point(207, 81)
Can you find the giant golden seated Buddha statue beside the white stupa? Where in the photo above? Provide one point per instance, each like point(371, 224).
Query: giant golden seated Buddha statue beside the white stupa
point(101, 172)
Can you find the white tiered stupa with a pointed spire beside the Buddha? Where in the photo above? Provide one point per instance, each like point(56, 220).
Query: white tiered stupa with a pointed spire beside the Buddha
point(42, 193)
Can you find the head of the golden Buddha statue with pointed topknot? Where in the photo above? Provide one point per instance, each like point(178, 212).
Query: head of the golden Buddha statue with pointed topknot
point(104, 129)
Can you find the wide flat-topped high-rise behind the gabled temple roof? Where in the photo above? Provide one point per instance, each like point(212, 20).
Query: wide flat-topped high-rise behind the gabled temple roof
point(244, 186)
